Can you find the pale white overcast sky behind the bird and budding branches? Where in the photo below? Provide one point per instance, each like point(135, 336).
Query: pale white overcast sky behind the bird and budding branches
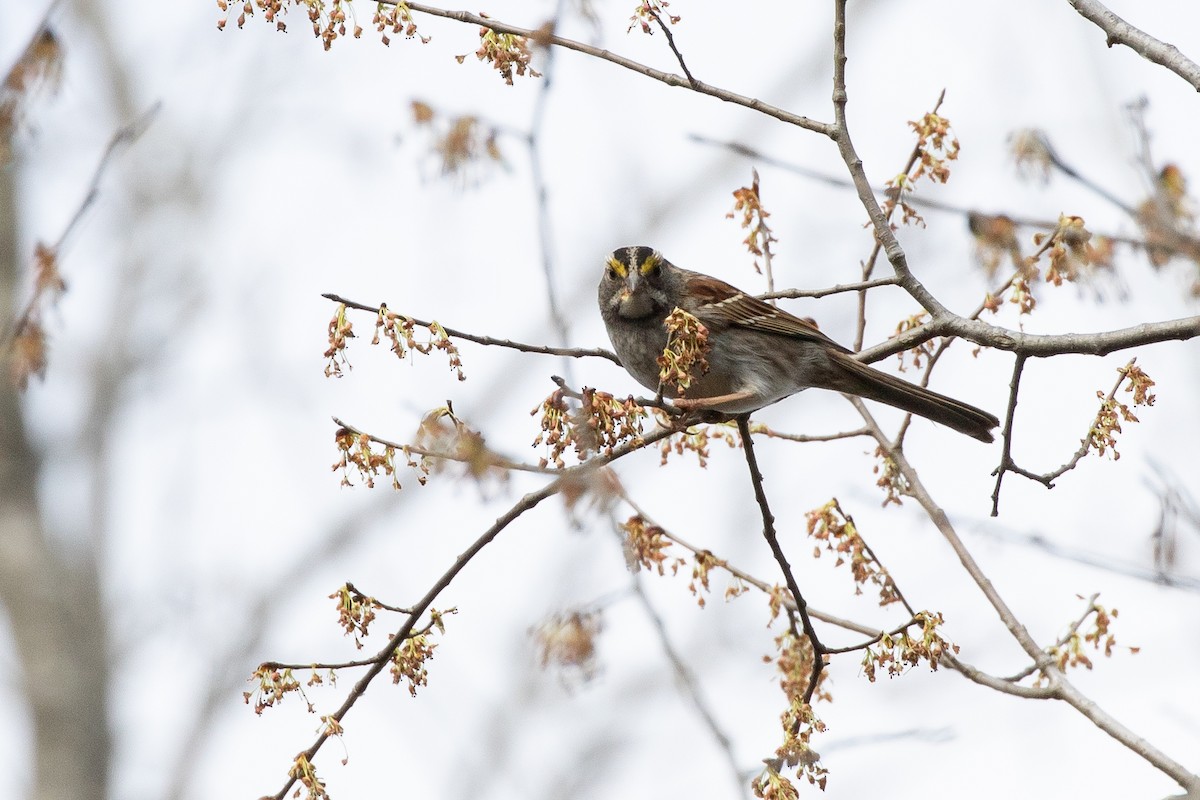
point(277, 172)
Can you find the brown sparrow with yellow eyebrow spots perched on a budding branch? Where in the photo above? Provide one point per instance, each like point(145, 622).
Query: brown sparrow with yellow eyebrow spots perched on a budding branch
point(758, 354)
